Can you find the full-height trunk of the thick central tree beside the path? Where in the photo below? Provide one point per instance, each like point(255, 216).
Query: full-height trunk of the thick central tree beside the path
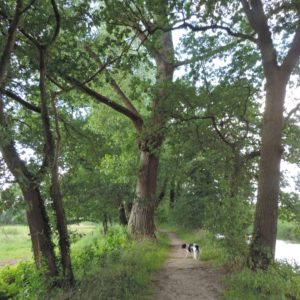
point(141, 220)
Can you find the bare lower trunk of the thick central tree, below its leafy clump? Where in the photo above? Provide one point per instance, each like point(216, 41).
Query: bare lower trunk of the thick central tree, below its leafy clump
point(141, 221)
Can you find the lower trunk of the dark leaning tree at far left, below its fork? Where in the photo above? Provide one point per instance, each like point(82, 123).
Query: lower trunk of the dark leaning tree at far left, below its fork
point(39, 230)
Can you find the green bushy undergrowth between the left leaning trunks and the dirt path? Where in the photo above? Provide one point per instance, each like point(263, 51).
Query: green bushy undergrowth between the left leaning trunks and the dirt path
point(114, 267)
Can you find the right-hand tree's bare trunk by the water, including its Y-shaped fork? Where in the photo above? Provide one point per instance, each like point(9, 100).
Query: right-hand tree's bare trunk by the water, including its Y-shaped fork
point(265, 227)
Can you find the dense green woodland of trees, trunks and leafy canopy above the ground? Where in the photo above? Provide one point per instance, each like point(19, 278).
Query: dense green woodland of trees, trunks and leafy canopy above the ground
point(147, 112)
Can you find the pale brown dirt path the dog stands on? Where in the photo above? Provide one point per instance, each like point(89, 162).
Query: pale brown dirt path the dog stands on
point(186, 279)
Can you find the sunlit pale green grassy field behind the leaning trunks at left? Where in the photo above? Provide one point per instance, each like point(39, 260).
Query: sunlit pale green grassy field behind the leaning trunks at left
point(15, 244)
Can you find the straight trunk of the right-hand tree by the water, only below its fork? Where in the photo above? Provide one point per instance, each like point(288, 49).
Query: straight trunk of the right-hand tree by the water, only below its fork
point(265, 226)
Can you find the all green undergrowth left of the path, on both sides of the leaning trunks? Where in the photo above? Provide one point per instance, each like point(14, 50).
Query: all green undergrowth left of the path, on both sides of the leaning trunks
point(106, 267)
